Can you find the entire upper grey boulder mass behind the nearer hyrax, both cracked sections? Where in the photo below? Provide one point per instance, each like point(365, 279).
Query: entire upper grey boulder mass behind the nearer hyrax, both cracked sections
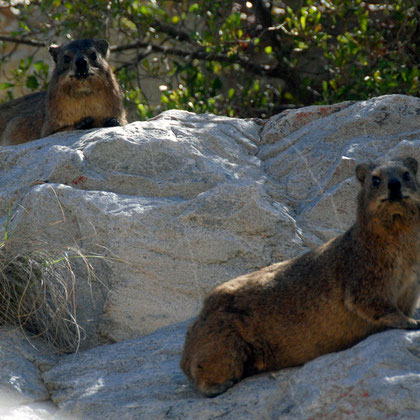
point(183, 202)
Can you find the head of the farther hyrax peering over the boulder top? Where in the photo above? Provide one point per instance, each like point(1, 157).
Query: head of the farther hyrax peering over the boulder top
point(79, 63)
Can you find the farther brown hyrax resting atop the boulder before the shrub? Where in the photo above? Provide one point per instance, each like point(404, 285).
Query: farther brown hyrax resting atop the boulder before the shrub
point(83, 93)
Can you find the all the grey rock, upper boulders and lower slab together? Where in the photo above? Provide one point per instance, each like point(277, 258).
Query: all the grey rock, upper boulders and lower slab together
point(180, 204)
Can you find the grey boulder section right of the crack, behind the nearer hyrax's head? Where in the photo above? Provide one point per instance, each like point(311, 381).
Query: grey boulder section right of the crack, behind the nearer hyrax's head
point(313, 166)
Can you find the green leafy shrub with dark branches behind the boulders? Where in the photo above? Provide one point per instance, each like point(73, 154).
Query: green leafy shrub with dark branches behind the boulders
point(237, 58)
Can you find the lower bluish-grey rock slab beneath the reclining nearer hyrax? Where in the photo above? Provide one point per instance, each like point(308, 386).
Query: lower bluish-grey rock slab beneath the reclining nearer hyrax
point(141, 378)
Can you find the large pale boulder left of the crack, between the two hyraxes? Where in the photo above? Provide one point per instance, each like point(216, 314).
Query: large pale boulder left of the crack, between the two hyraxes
point(181, 199)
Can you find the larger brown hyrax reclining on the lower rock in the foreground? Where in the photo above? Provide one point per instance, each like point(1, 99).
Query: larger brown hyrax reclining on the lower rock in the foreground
point(359, 283)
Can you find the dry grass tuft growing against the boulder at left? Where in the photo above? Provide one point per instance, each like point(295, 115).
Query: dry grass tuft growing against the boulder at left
point(38, 289)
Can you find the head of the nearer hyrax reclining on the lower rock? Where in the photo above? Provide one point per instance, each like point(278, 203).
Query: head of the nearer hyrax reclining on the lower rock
point(390, 191)
